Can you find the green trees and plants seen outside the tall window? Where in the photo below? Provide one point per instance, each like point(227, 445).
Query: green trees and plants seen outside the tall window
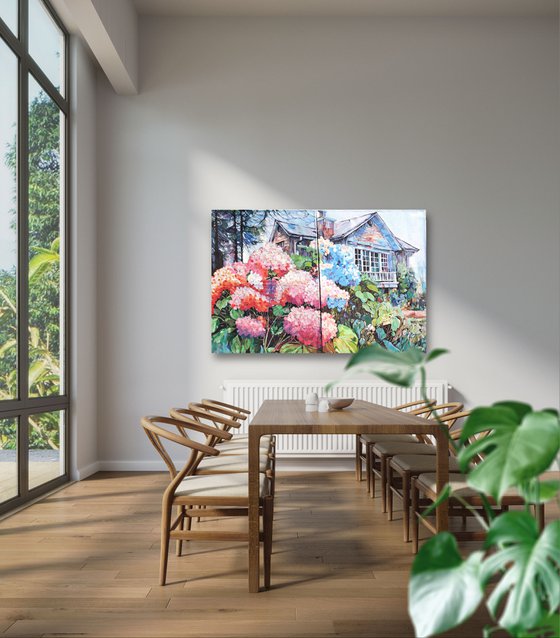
point(44, 336)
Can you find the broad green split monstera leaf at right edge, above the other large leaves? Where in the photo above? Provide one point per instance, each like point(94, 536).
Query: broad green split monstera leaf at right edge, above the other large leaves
point(520, 445)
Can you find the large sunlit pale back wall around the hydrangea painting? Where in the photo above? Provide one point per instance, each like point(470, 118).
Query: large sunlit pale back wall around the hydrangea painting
point(455, 115)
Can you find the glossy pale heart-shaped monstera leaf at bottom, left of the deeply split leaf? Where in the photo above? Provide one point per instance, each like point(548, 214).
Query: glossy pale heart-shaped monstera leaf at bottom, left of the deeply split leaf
point(444, 590)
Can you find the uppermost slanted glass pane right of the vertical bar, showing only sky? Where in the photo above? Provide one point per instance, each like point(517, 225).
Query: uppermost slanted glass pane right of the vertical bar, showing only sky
point(46, 43)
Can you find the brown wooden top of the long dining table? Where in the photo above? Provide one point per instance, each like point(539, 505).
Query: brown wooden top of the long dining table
point(290, 417)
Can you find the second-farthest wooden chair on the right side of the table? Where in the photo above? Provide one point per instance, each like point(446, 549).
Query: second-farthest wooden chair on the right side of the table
point(384, 450)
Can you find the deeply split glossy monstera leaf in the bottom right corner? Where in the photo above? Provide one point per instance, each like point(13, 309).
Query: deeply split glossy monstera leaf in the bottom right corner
point(530, 564)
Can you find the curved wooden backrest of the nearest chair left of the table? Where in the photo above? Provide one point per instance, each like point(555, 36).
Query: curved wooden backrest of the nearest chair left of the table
point(157, 434)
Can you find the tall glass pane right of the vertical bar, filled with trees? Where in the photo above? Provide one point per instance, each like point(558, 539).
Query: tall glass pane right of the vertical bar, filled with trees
point(46, 330)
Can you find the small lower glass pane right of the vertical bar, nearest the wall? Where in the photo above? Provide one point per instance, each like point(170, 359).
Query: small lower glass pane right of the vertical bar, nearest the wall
point(46, 447)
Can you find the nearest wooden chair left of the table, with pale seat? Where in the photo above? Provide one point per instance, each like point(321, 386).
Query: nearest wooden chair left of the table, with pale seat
point(221, 495)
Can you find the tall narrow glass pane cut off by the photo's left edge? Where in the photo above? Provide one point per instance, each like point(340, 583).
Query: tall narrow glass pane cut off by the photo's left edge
point(8, 231)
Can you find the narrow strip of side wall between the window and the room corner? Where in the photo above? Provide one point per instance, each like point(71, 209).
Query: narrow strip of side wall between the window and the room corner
point(83, 282)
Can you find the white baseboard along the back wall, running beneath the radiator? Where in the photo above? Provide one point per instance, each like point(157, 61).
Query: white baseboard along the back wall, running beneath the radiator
point(288, 464)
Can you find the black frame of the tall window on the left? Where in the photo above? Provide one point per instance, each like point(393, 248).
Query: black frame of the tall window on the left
point(23, 407)
